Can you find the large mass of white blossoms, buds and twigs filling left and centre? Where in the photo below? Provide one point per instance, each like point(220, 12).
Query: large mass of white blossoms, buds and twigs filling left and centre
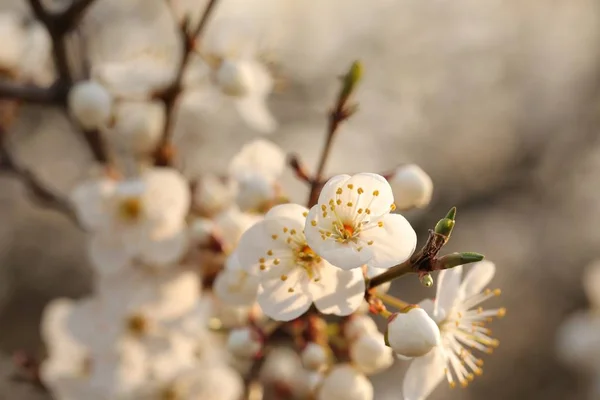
point(218, 287)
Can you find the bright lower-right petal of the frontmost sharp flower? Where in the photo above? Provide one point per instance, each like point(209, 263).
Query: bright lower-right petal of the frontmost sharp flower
point(393, 243)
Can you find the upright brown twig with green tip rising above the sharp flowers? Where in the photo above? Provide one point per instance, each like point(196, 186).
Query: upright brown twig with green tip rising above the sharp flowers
point(341, 112)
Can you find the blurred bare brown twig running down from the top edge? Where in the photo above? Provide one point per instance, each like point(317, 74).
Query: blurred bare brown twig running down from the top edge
point(163, 155)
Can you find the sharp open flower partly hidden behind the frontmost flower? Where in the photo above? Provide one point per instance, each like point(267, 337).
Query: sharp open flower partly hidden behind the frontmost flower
point(292, 276)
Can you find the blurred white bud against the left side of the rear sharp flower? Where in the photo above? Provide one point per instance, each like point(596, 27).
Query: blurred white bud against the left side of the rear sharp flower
point(234, 285)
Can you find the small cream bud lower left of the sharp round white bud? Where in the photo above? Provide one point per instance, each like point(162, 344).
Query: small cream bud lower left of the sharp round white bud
point(370, 354)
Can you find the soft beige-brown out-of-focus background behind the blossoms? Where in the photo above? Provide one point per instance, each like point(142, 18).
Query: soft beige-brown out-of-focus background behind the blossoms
point(497, 100)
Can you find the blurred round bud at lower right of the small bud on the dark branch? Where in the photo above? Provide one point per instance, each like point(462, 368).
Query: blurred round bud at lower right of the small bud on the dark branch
point(138, 125)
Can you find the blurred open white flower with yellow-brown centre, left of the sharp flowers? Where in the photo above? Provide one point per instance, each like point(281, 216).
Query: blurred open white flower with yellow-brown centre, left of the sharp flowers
point(134, 219)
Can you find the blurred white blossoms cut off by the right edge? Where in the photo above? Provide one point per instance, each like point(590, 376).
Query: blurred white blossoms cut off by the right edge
point(578, 339)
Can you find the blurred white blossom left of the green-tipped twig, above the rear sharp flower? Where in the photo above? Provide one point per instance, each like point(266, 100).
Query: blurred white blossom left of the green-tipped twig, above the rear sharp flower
point(255, 170)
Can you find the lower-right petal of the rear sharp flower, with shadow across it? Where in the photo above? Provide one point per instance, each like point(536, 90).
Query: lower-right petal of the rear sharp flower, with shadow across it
point(338, 292)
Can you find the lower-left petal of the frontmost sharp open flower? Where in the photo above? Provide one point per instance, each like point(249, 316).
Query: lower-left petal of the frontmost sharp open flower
point(342, 255)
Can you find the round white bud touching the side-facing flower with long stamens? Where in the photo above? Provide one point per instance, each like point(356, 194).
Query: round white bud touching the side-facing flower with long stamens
point(412, 334)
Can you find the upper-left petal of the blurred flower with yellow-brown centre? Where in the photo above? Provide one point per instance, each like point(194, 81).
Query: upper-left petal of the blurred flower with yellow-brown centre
point(90, 201)
